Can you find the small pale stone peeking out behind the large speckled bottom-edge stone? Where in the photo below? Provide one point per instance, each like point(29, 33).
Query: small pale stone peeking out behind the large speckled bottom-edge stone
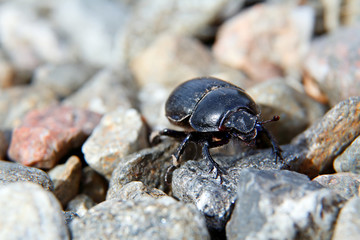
point(135, 190)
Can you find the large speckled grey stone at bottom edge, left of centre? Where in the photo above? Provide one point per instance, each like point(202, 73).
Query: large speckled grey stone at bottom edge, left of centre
point(162, 218)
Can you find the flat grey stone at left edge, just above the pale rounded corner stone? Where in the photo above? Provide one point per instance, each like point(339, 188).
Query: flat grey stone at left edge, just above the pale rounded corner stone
point(14, 172)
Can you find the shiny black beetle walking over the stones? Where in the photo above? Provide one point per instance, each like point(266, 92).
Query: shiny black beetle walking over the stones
point(212, 111)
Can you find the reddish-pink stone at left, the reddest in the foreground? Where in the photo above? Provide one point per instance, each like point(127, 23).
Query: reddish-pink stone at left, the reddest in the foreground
point(46, 135)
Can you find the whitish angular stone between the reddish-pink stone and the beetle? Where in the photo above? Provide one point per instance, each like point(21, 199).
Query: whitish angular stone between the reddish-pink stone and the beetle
point(118, 134)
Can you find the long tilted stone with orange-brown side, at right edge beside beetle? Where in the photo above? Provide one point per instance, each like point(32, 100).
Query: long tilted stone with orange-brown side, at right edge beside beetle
point(328, 137)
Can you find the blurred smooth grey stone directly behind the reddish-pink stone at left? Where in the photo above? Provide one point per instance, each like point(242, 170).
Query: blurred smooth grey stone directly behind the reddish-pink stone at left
point(63, 79)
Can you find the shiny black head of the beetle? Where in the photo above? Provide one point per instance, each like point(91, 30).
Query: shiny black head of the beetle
point(242, 121)
